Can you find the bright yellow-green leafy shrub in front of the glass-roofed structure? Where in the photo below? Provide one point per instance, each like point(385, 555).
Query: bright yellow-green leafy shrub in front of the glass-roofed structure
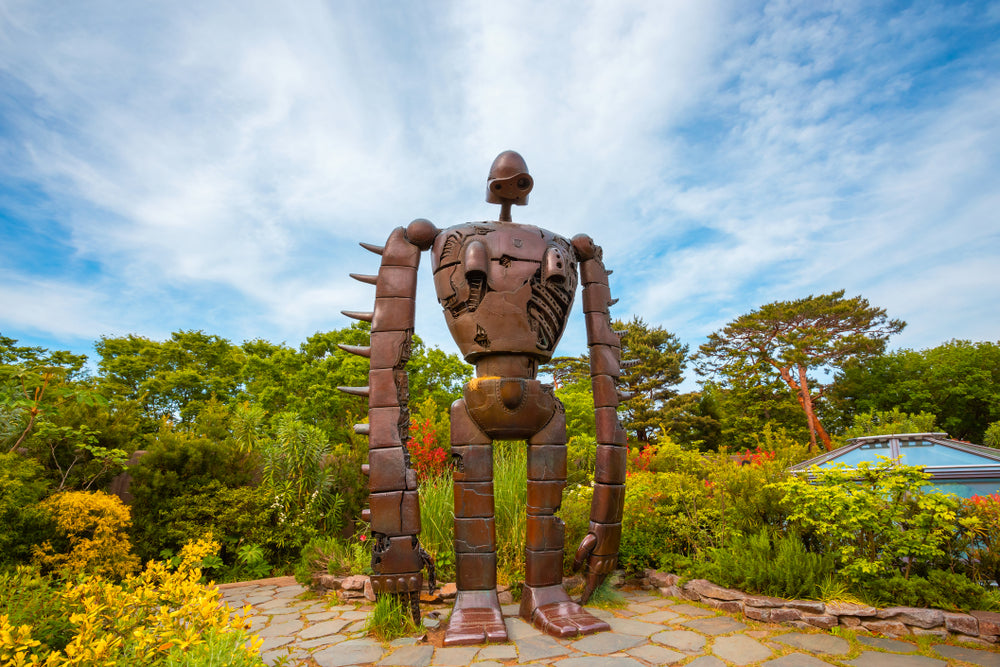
point(876, 520)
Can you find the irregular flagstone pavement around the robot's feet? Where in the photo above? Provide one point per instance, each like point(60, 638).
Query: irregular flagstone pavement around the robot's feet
point(648, 630)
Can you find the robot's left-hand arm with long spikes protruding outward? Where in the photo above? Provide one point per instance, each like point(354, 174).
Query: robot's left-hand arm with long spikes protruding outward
point(397, 558)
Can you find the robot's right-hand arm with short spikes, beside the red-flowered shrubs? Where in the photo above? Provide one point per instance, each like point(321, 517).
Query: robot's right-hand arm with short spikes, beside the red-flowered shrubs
point(599, 549)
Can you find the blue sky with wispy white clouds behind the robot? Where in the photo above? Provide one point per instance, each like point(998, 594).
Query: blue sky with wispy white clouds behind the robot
point(205, 165)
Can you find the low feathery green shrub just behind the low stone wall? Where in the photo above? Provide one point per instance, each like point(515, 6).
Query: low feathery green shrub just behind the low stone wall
point(772, 564)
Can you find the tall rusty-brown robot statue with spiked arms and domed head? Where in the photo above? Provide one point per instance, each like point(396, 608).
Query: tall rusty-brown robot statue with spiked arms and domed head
point(506, 290)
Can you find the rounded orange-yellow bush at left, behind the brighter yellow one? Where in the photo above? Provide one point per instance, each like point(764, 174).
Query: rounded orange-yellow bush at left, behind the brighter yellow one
point(92, 528)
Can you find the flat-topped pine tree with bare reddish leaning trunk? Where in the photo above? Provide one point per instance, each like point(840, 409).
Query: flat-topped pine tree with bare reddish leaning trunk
point(817, 335)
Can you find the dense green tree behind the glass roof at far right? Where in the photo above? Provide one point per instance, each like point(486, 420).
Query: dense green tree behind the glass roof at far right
point(958, 382)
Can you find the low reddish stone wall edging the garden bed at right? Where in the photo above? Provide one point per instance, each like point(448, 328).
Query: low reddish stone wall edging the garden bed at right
point(976, 626)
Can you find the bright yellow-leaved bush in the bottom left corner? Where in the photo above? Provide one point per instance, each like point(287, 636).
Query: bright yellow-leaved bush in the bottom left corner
point(158, 617)
